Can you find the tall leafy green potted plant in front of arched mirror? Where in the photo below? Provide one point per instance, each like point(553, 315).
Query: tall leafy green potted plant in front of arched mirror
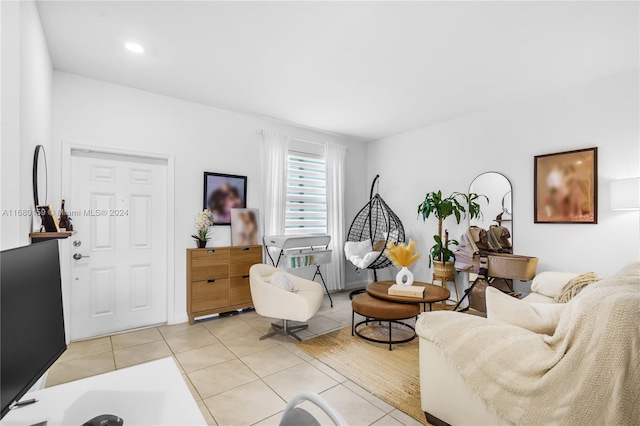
point(443, 207)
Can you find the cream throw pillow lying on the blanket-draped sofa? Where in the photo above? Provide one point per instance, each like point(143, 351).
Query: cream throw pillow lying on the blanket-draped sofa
point(540, 318)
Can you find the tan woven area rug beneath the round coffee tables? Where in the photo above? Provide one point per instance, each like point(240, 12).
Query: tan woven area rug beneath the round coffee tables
point(392, 376)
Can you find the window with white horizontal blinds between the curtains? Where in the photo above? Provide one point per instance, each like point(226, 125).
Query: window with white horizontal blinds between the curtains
point(306, 211)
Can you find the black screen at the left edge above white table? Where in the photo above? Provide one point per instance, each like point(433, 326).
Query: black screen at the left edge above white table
point(32, 329)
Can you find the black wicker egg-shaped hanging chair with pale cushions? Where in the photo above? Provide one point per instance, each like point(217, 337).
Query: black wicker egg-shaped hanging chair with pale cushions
point(377, 223)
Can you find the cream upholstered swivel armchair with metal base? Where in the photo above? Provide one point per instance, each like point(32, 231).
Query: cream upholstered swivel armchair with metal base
point(275, 302)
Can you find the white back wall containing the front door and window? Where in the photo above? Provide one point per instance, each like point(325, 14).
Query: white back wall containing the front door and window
point(91, 112)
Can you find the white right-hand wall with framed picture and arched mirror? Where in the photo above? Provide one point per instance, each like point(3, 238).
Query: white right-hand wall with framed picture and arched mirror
point(448, 156)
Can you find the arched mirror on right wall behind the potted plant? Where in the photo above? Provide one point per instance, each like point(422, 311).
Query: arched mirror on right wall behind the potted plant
point(499, 211)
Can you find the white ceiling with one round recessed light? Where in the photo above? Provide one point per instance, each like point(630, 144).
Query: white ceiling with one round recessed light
point(361, 69)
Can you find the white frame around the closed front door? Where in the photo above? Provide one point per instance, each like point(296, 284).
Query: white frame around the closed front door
point(67, 148)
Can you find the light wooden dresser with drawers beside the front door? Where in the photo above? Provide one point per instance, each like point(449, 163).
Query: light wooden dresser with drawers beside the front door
point(218, 279)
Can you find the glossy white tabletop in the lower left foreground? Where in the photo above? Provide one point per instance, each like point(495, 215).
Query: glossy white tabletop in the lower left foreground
point(148, 394)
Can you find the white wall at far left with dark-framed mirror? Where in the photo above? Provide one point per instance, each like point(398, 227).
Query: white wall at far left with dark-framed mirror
point(26, 114)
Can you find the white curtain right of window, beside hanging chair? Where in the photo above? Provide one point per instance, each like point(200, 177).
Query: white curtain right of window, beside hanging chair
point(335, 161)
